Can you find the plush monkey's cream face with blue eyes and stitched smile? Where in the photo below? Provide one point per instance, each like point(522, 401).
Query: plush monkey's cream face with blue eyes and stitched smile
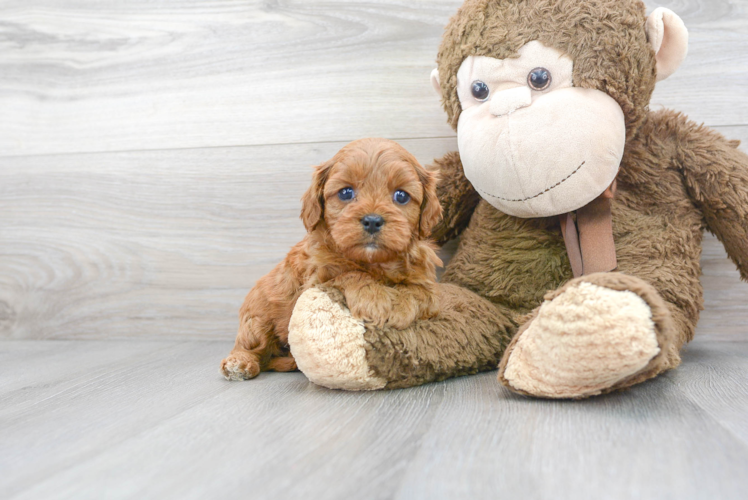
point(531, 143)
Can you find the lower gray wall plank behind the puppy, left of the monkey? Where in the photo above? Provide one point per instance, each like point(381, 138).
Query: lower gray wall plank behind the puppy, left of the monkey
point(163, 244)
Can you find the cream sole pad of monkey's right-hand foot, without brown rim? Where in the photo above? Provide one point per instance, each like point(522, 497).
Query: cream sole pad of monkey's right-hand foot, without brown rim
point(582, 342)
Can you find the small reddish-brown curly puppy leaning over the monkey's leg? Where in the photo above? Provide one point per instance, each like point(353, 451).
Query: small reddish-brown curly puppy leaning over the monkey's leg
point(367, 215)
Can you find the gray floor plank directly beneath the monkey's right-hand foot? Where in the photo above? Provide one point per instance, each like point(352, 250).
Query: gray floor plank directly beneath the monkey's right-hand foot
point(650, 442)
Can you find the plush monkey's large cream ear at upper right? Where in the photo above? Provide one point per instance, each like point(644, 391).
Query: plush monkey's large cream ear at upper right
point(669, 38)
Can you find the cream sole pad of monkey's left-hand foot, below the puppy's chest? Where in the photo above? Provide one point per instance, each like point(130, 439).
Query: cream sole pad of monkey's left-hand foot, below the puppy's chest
point(328, 344)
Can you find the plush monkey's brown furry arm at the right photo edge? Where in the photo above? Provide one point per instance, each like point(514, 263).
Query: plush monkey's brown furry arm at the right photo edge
point(716, 174)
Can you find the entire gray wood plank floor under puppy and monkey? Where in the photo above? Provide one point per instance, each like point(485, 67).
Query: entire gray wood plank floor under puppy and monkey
point(155, 420)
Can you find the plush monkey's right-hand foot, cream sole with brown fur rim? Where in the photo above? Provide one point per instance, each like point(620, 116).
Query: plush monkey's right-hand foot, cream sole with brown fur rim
point(596, 334)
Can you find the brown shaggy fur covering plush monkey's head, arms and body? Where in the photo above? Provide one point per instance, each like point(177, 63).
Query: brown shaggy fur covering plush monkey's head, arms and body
point(676, 180)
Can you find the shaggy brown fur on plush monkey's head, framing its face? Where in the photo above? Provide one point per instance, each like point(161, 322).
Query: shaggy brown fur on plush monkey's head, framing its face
point(604, 38)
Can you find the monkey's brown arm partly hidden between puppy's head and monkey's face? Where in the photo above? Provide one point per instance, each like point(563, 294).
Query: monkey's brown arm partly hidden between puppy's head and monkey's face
point(457, 197)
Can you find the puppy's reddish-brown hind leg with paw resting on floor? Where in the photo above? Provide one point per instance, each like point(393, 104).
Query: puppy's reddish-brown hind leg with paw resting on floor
point(252, 350)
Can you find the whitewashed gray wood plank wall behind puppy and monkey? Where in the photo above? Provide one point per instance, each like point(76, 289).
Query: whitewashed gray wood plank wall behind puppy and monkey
point(152, 155)
